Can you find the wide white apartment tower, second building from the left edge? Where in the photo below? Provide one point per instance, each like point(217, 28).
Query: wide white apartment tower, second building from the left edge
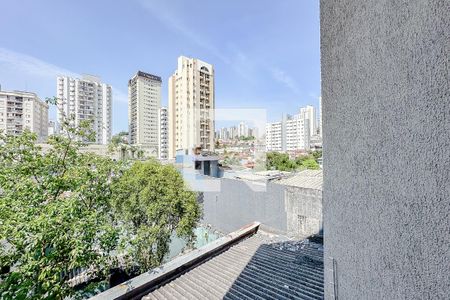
point(85, 99)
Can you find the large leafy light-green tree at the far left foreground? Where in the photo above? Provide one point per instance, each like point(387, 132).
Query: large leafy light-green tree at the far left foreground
point(54, 214)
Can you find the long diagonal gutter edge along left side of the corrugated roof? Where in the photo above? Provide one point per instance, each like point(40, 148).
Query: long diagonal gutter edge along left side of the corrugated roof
point(141, 285)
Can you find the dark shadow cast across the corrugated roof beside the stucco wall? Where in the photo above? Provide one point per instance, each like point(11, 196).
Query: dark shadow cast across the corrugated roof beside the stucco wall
point(283, 270)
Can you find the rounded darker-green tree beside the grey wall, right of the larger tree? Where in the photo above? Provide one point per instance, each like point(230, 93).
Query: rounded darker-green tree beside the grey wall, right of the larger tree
point(153, 201)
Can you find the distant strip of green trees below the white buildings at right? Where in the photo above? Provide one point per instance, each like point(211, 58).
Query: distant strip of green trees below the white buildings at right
point(282, 162)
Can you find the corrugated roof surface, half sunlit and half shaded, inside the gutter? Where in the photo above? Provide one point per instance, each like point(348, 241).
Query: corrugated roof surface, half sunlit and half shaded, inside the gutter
point(259, 267)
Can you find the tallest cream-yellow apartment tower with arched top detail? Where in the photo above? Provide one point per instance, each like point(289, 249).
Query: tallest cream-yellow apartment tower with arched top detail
point(191, 106)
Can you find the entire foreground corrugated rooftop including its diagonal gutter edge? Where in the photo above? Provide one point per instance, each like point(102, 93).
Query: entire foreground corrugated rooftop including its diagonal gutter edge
point(246, 264)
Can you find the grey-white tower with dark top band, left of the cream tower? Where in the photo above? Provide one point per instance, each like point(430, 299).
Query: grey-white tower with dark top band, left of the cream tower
point(144, 102)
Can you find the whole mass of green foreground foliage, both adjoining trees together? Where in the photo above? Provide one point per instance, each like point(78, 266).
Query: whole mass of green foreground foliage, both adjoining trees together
point(62, 210)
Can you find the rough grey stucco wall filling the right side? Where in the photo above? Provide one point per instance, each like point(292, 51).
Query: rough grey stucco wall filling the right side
point(386, 119)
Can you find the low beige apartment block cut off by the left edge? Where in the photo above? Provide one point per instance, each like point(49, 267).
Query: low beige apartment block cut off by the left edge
point(21, 110)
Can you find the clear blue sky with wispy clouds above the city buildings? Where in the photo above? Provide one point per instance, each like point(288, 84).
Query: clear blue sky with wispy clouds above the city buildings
point(266, 53)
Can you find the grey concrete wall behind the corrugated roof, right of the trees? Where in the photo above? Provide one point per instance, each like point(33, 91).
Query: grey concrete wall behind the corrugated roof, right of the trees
point(276, 206)
